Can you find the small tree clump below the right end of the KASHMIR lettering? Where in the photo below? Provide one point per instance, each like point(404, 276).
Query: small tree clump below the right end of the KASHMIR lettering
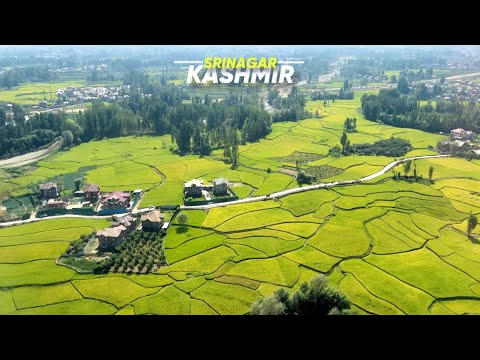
point(291, 108)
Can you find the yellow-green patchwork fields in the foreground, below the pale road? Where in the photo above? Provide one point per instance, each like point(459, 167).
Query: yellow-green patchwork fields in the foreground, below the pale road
point(392, 247)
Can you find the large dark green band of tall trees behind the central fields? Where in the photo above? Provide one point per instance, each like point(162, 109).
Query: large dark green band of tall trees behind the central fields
point(197, 126)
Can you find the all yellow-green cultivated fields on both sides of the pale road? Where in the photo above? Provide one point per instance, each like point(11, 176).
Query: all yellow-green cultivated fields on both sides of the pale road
point(393, 247)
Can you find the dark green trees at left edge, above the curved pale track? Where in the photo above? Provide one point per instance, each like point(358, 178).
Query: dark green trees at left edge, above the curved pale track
point(18, 136)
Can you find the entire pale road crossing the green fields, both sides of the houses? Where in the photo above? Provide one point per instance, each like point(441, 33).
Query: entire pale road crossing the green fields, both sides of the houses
point(242, 201)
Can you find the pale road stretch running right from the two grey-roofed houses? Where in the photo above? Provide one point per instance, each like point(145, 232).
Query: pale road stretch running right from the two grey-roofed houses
point(312, 187)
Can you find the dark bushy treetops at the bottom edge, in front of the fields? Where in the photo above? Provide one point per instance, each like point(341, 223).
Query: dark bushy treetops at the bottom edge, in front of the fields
point(316, 298)
